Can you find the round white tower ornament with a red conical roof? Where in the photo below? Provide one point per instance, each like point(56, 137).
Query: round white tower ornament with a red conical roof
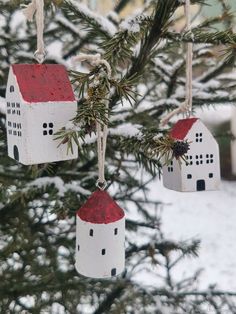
point(100, 237)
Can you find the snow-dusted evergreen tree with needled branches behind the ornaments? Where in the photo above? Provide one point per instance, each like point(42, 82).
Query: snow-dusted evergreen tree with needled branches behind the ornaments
point(38, 203)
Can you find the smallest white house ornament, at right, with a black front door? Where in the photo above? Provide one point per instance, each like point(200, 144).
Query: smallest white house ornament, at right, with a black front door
point(201, 171)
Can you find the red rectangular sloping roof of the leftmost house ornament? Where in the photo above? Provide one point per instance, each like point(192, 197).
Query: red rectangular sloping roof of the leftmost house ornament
point(43, 82)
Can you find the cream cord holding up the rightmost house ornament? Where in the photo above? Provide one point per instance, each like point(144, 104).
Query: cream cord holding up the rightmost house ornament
point(185, 107)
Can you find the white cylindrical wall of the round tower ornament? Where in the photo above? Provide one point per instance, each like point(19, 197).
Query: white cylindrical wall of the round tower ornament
point(89, 259)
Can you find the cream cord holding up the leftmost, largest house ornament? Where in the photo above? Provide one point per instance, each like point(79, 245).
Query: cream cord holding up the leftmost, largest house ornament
point(37, 7)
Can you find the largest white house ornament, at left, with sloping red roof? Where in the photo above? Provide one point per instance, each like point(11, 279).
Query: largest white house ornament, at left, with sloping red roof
point(40, 101)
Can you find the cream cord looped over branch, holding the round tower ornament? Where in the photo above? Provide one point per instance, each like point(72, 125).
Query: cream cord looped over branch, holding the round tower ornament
point(101, 128)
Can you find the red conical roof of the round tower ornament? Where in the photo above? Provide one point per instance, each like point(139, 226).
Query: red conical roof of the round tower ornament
point(100, 208)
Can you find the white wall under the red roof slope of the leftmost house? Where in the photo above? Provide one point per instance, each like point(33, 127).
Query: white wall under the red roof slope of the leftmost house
point(43, 148)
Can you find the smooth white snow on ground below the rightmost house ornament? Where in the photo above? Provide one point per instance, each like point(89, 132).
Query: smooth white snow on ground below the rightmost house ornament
point(210, 217)
